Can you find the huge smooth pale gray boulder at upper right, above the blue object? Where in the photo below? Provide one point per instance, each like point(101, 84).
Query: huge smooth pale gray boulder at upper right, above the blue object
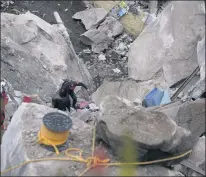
point(169, 43)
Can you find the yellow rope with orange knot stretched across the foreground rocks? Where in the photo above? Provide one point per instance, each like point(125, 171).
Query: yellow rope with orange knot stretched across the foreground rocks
point(93, 161)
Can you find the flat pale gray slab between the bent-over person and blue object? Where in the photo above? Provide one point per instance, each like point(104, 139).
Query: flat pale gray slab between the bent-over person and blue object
point(128, 89)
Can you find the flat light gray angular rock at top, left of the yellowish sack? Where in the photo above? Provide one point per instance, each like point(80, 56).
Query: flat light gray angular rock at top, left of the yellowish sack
point(91, 18)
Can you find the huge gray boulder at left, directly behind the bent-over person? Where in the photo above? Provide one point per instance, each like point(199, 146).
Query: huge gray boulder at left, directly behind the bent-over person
point(35, 57)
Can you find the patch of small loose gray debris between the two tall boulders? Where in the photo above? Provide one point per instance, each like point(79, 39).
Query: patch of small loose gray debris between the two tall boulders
point(102, 66)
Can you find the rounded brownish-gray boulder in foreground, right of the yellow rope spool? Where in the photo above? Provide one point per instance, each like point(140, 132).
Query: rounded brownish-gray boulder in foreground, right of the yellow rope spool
point(149, 130)
